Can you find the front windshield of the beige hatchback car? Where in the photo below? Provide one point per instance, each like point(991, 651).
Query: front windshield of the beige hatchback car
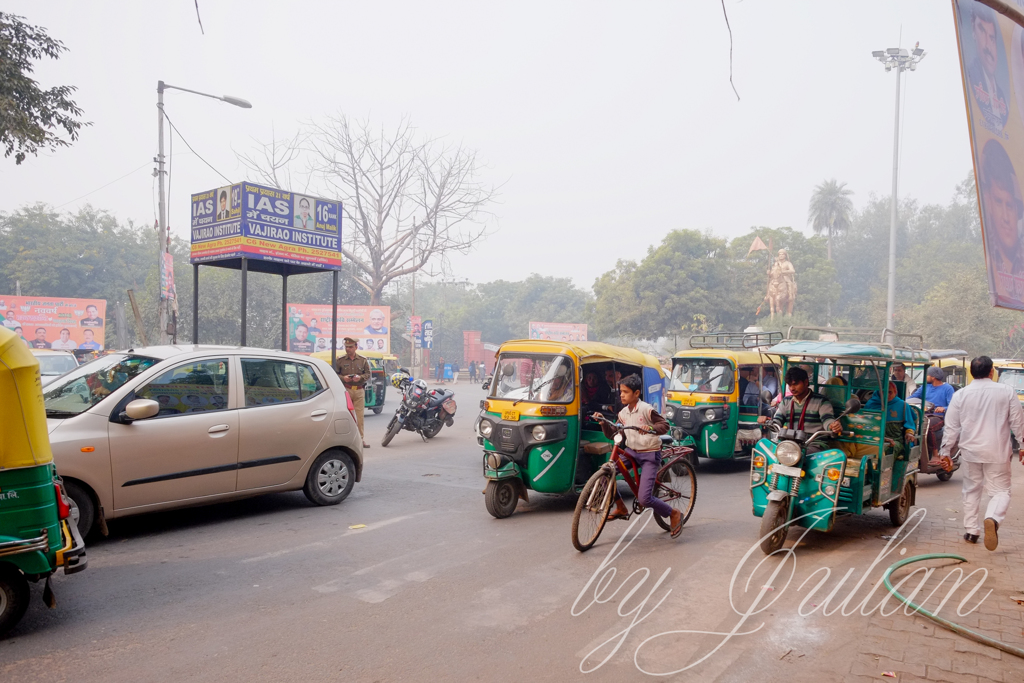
point(88, 386)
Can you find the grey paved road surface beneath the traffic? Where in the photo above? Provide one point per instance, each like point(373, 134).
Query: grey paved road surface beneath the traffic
point(434, 588)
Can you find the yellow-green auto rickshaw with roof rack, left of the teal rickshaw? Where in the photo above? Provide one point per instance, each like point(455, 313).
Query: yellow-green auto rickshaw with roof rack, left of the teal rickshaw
point(714, 397)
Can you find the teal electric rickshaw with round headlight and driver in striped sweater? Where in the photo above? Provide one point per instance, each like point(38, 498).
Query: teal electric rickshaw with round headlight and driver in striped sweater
point(870, 465)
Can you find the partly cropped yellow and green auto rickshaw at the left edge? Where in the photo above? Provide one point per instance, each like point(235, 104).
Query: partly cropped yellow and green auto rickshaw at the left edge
point(36, 538)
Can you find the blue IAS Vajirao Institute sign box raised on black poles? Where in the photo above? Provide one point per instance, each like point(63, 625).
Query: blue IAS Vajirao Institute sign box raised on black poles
point(267, 225)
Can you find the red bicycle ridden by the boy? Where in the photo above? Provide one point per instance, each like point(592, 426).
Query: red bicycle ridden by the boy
point(676, 484)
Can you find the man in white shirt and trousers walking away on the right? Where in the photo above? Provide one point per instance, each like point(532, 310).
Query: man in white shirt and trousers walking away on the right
point(980, 418)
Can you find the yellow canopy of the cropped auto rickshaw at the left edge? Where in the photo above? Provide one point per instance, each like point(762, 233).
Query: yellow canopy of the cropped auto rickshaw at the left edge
point(24, 440)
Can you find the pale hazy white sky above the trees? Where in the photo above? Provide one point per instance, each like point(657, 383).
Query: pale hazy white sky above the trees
point(610, 124)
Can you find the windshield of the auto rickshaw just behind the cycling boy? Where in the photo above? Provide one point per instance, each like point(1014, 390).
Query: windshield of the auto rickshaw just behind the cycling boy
point(534, 377)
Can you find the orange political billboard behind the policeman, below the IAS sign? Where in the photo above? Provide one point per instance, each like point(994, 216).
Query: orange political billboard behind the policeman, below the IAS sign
point(310, 327)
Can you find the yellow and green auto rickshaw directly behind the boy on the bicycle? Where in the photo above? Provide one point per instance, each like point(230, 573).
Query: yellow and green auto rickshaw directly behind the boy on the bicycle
point(535, 426)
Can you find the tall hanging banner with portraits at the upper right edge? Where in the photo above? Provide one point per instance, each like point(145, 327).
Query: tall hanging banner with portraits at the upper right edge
point(993, 68)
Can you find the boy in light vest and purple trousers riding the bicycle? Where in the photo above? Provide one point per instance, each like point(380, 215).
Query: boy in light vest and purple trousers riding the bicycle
point(645, 447)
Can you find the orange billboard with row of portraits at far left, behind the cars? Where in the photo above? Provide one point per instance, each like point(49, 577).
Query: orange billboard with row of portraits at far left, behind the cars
point(64, 325)
